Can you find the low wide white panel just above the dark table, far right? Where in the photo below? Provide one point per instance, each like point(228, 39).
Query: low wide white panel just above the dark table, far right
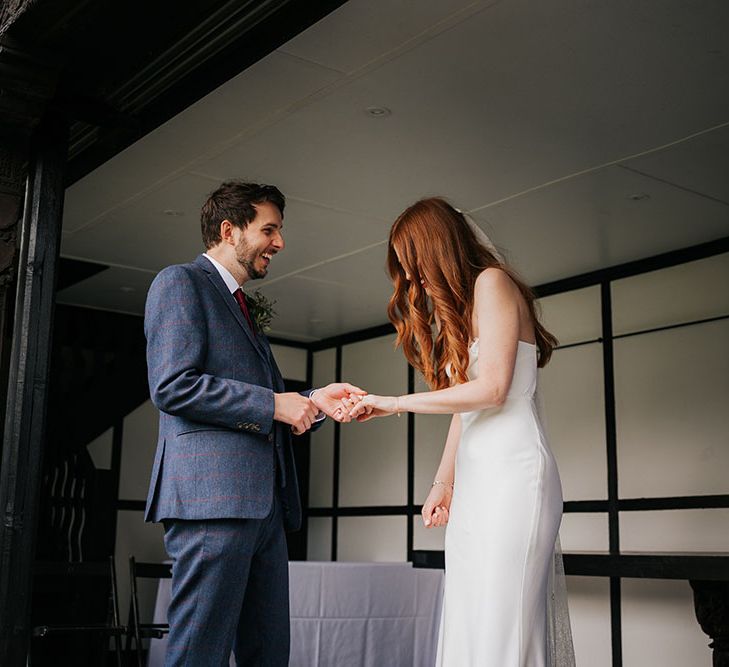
point(675, 530)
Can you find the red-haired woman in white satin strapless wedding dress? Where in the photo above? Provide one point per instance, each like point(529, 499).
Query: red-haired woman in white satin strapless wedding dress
point(469, 325)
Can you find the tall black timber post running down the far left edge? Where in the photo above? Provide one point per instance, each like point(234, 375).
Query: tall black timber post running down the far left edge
point(23, 434)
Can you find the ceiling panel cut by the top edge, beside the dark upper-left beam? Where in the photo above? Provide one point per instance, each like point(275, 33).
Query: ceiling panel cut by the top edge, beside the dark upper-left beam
point(354, 35)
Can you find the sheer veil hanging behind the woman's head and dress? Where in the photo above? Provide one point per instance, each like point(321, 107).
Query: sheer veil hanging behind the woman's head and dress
point(560, 648)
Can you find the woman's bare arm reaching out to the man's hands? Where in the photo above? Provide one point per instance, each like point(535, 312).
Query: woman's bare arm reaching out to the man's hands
point(496, 302)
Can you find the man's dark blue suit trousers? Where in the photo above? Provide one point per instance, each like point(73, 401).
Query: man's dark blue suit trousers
point(230, 590)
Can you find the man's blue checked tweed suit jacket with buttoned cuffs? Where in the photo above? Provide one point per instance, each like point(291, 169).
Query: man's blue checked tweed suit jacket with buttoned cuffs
point(213, 381)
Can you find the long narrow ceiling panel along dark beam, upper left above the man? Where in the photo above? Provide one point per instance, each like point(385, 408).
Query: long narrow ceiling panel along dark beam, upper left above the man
point(254, 97)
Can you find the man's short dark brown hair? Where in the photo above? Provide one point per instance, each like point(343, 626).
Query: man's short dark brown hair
point(235, 201)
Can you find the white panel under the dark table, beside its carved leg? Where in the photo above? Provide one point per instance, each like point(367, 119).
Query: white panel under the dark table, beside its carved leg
point(659, 625)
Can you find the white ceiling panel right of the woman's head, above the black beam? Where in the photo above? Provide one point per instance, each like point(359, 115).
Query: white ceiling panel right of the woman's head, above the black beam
point(595, 221)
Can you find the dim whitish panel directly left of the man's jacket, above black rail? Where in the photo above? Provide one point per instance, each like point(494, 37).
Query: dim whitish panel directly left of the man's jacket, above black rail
point(139, 443)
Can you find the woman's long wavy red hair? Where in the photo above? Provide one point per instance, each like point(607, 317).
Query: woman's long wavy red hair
point(436, 244)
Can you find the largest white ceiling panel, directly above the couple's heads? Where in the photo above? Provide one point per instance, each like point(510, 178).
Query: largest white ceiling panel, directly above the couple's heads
point(495, 106)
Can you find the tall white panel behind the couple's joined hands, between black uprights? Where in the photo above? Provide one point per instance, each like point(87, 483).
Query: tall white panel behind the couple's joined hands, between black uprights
point(373, 463)
